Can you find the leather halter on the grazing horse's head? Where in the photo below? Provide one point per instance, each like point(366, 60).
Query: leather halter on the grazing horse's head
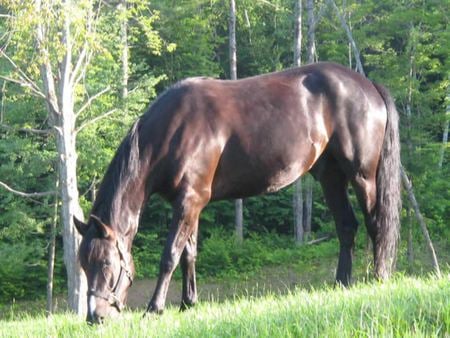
point(111, 297)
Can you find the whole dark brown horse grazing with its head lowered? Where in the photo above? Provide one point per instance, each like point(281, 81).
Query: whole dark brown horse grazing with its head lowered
point(206, 139)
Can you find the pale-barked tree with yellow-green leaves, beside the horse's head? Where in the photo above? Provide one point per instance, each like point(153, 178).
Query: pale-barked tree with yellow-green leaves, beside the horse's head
point(68, 39)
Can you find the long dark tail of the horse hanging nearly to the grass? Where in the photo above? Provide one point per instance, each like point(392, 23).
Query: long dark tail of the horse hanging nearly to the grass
point(388, 204)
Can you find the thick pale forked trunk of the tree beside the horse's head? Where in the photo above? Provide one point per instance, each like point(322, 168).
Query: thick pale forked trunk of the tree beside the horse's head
point(60, 106)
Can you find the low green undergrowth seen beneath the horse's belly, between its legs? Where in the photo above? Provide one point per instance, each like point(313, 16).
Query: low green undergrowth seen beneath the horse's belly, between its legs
point(222, 256)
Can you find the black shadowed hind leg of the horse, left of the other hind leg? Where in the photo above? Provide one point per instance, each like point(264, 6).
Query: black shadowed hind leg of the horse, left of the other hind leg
point(334, 184)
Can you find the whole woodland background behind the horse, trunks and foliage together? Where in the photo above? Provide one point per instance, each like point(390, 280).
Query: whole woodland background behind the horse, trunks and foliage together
point(74, 76)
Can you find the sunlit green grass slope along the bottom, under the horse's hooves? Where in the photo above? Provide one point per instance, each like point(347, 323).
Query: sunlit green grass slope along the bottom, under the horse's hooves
point(402, 307)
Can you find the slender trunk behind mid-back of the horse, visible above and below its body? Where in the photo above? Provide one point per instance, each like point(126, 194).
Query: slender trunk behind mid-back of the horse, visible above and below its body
point(239, 208)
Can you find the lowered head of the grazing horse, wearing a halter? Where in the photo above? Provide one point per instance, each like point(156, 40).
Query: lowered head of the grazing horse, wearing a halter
point(108, 266)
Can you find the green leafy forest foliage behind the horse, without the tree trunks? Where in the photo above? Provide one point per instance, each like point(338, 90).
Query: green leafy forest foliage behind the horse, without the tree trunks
point(404, 45)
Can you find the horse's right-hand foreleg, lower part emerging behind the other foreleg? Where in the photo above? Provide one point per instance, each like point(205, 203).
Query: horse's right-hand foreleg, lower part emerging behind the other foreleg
point(189, 297)
